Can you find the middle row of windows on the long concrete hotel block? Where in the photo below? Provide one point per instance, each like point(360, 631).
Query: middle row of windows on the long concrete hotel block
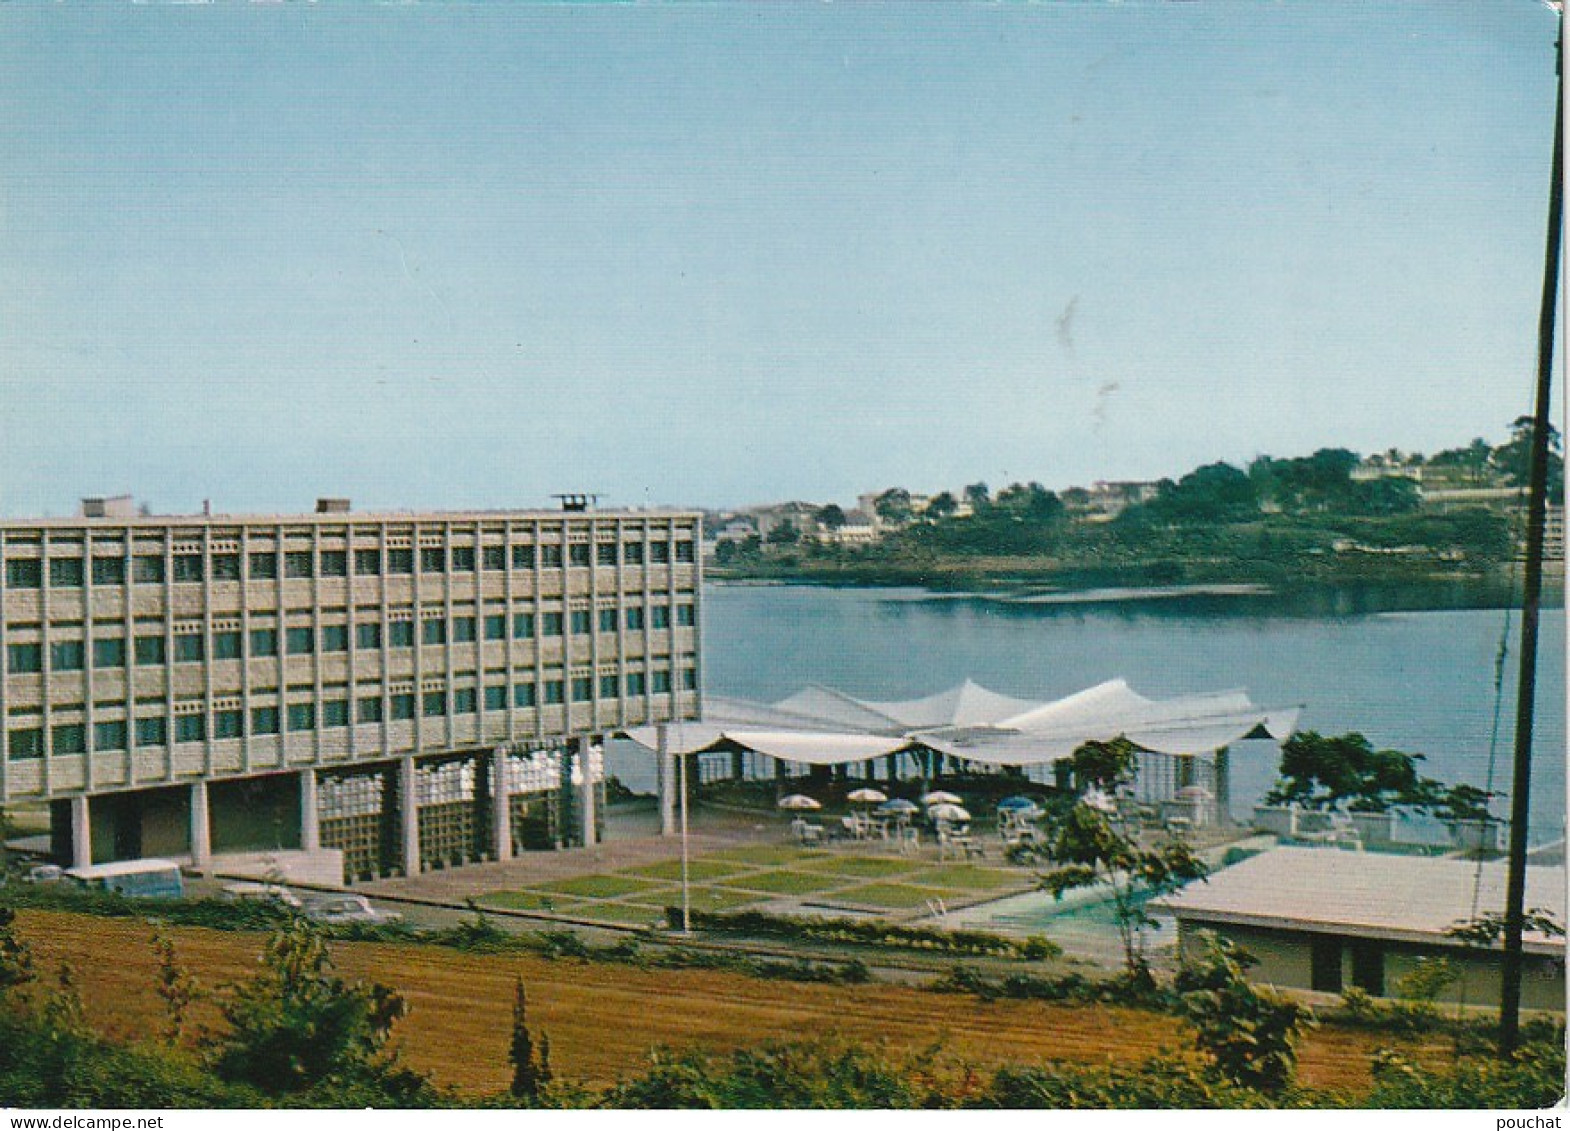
point(304, 640)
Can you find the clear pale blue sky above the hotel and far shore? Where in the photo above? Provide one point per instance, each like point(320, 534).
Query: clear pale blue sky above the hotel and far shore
point(712, 255)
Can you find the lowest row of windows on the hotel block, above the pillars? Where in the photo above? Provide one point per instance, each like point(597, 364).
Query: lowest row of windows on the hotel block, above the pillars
point(155, 731)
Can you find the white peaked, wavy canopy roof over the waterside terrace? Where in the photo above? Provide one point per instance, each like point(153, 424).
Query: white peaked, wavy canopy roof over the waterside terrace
point(823, 727)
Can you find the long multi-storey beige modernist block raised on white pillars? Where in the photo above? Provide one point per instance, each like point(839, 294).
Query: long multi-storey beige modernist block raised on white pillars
point(415, 690)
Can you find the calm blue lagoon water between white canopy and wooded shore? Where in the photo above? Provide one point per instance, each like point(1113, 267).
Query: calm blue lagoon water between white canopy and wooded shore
point(1414, 681)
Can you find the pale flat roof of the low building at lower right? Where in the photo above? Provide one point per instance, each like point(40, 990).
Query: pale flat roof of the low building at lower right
point(1412, 899)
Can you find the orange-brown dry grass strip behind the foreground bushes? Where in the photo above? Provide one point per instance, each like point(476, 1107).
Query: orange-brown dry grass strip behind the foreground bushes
point(605, 1019)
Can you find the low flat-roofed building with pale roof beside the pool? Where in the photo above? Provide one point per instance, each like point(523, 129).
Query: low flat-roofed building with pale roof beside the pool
point(1327, 920)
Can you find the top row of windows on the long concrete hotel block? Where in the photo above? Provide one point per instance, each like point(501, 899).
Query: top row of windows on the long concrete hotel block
point(265, 565)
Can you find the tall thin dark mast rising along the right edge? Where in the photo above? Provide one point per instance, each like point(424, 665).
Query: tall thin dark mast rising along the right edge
point(1536, 513)
